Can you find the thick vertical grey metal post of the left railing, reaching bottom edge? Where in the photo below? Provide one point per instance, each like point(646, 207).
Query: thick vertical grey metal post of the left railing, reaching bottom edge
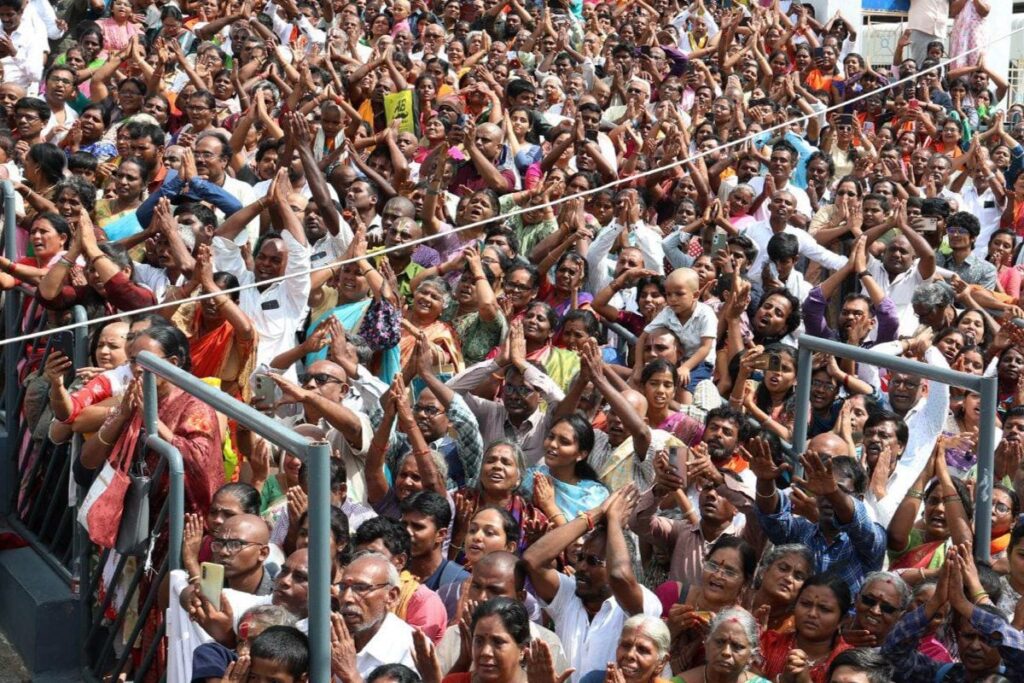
point(319, 462)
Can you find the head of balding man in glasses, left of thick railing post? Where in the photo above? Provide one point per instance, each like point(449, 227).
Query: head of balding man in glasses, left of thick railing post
point(242, 546)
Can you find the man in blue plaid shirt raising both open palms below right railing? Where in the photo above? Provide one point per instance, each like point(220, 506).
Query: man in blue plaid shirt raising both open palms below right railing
point(845, 540)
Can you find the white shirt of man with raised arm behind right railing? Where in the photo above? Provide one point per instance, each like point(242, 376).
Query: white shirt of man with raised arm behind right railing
point(925, 422)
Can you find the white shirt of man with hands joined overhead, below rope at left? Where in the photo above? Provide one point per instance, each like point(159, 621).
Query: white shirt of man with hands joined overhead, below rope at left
point(279, 312)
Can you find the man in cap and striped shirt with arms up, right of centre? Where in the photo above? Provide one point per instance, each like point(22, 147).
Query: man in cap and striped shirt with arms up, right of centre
point(722, 497)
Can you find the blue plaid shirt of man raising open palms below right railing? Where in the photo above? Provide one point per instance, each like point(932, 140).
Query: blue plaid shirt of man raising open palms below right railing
point(859, 549)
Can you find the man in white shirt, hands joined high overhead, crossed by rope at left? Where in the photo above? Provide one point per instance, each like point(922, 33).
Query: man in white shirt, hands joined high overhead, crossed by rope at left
point(277, 310)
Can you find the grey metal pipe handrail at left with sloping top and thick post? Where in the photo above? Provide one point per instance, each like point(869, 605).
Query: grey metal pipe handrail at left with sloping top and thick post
point(317, 455)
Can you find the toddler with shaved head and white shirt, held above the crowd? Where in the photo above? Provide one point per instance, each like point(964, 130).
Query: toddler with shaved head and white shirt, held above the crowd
point(694, 323)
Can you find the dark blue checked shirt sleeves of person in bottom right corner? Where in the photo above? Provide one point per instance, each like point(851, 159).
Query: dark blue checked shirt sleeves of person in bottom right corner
point(914, 667)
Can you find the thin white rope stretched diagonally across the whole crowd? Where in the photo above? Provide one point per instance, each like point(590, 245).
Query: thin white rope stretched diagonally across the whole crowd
point(515, 212)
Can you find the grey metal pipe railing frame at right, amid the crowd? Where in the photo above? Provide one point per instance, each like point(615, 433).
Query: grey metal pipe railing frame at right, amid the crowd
point(986, 386)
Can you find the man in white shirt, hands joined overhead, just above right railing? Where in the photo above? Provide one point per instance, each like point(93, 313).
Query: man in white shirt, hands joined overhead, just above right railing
point(907, 263)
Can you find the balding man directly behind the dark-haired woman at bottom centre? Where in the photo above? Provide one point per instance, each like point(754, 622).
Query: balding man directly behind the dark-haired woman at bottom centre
point(496, 576)
